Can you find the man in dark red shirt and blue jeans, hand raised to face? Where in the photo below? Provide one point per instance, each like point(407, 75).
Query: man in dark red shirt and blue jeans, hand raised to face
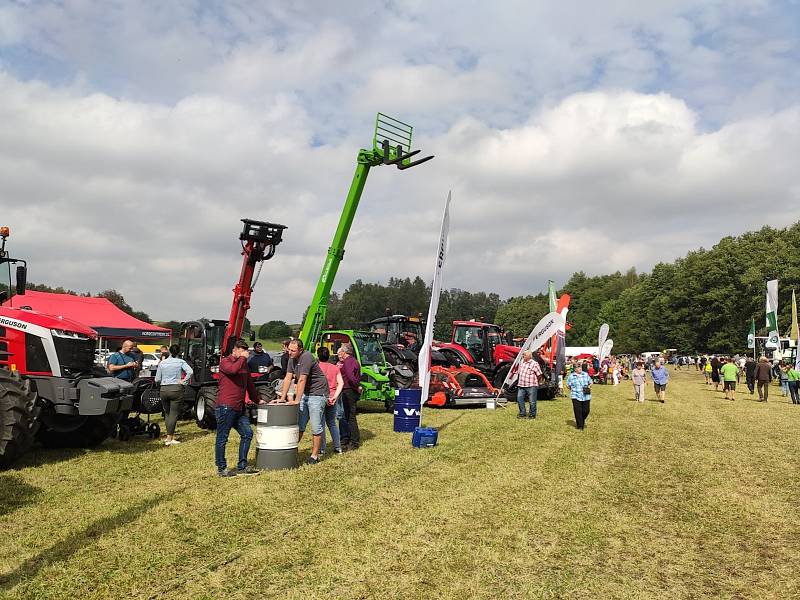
point(234, 383)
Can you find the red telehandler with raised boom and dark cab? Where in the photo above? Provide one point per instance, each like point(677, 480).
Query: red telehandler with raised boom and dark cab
point(204, 342)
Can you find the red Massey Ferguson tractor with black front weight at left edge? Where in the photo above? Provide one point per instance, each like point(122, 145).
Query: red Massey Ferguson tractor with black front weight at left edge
point(49, 390)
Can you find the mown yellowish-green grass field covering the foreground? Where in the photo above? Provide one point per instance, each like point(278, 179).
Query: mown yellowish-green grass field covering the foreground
point(691, 499)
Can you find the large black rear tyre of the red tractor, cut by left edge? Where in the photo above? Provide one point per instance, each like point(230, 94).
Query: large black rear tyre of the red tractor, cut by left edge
point(16, 417)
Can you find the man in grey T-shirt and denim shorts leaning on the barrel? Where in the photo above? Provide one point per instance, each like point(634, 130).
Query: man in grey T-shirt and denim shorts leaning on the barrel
point(311, 388)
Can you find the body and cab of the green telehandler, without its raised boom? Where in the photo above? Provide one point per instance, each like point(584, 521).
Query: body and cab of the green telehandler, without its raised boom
point(377, 375)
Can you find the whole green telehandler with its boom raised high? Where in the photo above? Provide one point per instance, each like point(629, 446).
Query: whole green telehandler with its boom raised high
point(391, 145)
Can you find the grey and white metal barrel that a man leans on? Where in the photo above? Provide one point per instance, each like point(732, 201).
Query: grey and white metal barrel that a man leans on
point(277, 435)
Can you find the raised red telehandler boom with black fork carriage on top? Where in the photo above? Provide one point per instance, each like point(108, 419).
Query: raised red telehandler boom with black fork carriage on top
point(259, 240)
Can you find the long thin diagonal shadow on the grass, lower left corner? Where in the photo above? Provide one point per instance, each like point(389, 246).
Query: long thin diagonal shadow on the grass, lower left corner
point(65, 549)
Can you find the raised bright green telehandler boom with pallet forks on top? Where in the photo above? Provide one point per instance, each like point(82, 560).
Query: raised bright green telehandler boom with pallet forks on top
point(391, 145)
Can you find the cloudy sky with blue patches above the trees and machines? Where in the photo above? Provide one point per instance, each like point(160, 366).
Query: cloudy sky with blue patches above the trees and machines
point(574, 135)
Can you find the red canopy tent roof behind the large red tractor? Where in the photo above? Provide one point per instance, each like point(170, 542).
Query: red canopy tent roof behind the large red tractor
point(98, 313)
